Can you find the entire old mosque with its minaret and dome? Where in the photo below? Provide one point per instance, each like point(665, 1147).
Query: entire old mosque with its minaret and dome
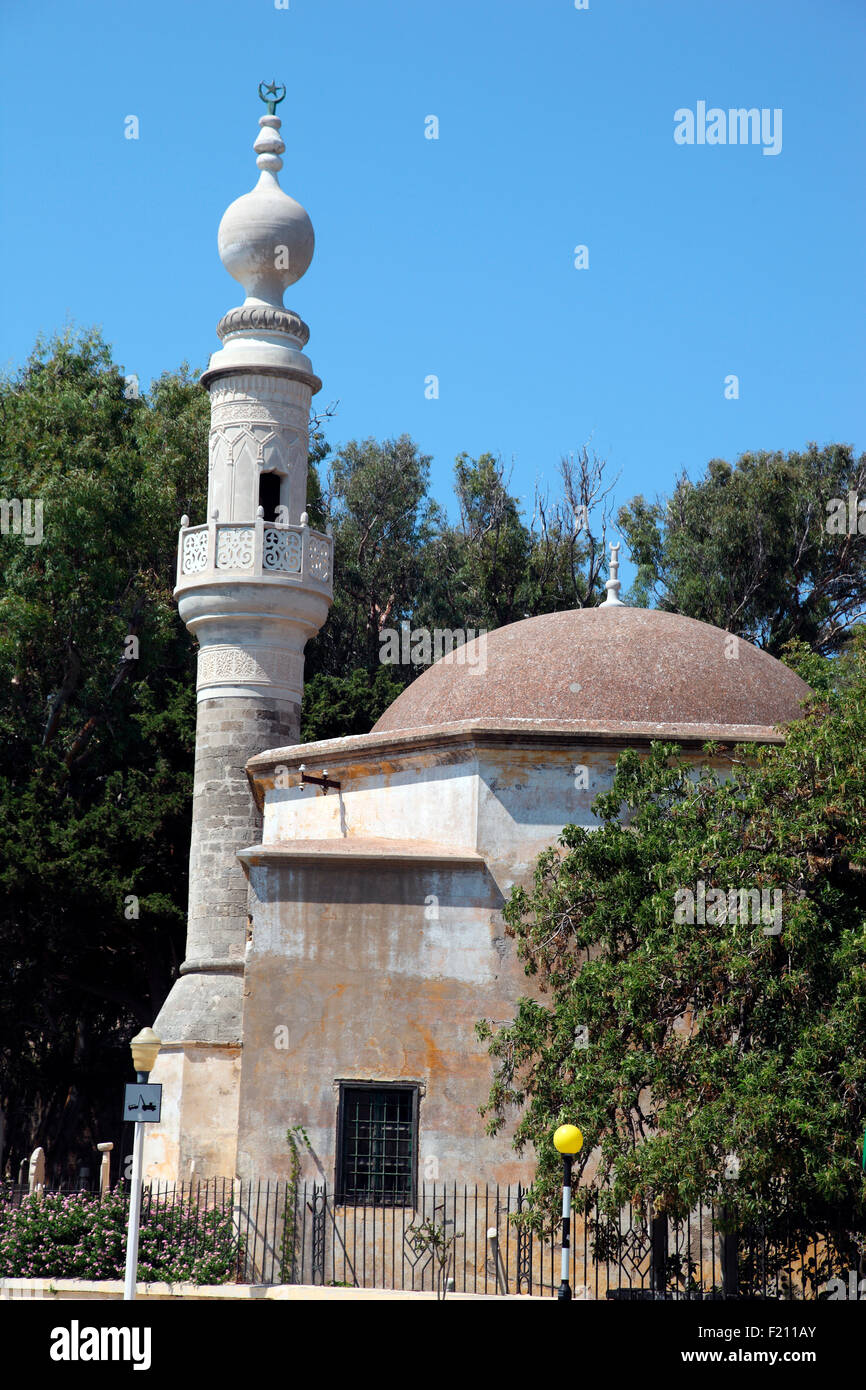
point(345, 899)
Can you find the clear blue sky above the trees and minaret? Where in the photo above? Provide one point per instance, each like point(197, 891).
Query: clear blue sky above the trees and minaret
point(457, 256)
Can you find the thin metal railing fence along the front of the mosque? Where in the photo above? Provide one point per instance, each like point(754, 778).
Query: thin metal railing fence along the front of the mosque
point(479, 1241)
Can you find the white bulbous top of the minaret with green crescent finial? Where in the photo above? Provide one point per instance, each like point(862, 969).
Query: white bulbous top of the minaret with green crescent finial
point(266, 238)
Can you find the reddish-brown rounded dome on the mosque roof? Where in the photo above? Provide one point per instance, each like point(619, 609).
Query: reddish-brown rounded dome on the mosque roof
point(610, 667)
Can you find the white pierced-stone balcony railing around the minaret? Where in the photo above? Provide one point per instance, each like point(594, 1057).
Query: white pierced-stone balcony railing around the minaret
point(252, 551)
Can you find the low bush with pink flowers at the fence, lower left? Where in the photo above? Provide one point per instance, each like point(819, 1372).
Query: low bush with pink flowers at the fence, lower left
point(80, 1236)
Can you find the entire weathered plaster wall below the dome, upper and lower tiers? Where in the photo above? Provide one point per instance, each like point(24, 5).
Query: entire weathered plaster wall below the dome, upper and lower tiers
point(375, 970)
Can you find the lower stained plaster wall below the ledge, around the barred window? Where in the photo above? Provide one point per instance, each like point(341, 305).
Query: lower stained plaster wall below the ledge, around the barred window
point(368, 985)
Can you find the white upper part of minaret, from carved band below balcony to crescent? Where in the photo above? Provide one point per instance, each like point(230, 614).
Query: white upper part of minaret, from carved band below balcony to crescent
point(256, 536)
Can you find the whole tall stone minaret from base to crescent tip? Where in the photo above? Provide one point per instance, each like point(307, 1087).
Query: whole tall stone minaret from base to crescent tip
point(254, 586)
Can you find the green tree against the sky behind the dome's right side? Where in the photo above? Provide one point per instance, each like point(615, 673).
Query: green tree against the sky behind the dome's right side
point(757, 548)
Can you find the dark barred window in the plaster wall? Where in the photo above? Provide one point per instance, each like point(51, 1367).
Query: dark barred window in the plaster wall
point(377, 1145)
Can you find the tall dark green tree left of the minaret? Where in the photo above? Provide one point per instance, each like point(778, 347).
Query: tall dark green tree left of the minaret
point(97, 722)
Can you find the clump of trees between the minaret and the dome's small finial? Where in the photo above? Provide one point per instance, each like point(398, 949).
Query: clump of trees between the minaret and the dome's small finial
point(400, 559)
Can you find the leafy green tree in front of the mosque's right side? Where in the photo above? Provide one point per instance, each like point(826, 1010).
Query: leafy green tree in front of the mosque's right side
point(705, 1040)
